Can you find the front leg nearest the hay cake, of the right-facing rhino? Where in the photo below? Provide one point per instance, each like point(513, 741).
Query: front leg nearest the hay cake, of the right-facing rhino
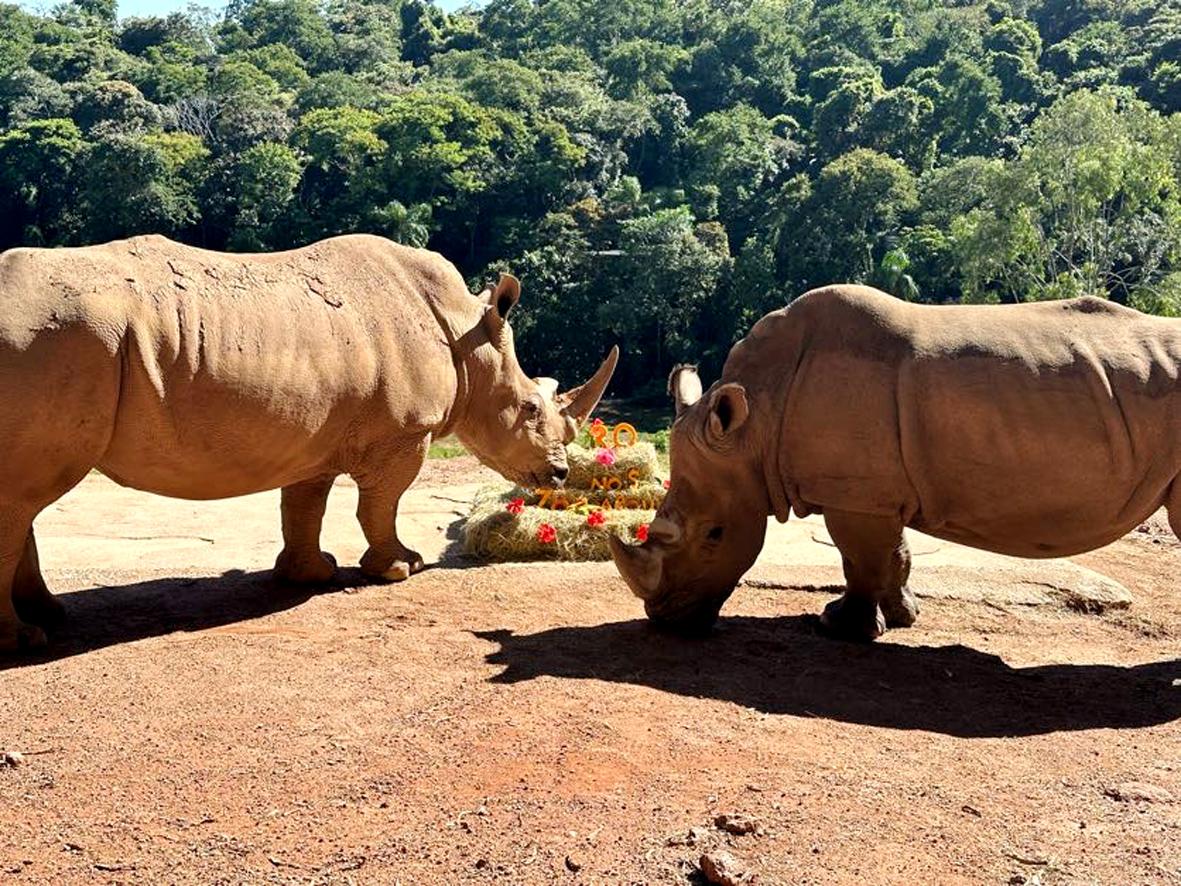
point(381, 488)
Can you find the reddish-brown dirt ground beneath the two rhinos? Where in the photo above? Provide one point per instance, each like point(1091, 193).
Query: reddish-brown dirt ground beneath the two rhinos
point(198, 724)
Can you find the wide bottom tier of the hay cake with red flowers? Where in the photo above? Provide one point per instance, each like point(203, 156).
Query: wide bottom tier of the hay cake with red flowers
point(493, 533)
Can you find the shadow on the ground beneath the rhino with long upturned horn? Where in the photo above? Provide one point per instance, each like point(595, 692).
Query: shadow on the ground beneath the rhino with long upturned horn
point(110, 615)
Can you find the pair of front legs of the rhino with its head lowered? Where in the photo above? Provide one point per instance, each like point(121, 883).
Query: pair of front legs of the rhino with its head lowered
point(877, 566)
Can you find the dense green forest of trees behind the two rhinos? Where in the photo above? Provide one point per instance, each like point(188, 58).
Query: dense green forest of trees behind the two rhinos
point(658, 173)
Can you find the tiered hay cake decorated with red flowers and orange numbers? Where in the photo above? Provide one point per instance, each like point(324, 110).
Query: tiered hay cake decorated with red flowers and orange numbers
point(611, 490)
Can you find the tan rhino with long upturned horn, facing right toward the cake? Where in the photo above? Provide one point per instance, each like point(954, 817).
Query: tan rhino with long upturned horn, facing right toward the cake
point(203, 375)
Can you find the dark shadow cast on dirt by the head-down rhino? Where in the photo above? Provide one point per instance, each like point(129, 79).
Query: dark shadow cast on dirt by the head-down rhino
point(784, 666)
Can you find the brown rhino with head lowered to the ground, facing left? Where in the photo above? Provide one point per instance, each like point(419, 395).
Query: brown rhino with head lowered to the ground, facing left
point(1034, 431)
